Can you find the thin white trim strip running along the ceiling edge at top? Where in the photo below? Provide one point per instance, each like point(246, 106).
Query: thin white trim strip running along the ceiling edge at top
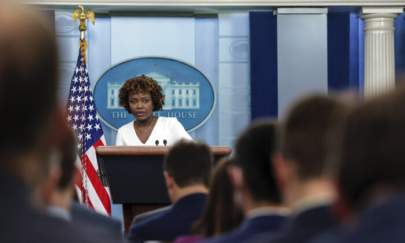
point(217, 3)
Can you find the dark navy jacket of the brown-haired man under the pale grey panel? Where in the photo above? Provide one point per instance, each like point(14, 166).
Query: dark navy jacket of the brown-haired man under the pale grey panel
point(304, 226)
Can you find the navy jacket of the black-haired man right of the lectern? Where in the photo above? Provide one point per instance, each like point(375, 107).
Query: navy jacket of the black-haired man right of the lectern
point(250, 228)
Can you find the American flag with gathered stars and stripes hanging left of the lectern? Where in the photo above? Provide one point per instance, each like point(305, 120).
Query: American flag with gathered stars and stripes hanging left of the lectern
point(82, 117)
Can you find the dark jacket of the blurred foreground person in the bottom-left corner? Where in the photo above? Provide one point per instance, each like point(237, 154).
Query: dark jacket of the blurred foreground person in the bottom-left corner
point(20, 222)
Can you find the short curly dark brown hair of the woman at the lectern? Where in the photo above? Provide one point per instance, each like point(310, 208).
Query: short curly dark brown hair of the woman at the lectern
point(142, 84)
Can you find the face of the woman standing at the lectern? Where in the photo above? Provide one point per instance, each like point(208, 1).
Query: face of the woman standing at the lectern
point(141, 106)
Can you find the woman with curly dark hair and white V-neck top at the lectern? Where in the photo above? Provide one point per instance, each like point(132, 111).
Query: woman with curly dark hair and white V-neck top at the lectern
point(141, 96)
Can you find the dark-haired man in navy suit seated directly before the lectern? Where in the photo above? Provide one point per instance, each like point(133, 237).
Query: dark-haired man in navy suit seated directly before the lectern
point(186, 171)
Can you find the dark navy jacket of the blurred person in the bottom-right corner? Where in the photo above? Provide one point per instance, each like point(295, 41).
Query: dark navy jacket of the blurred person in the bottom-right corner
point(382, 223)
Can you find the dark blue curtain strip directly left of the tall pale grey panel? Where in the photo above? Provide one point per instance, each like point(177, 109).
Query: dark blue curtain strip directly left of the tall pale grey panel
point(263, 64)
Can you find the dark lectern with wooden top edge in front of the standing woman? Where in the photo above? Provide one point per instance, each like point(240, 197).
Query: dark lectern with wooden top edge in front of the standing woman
point(135, 176)
